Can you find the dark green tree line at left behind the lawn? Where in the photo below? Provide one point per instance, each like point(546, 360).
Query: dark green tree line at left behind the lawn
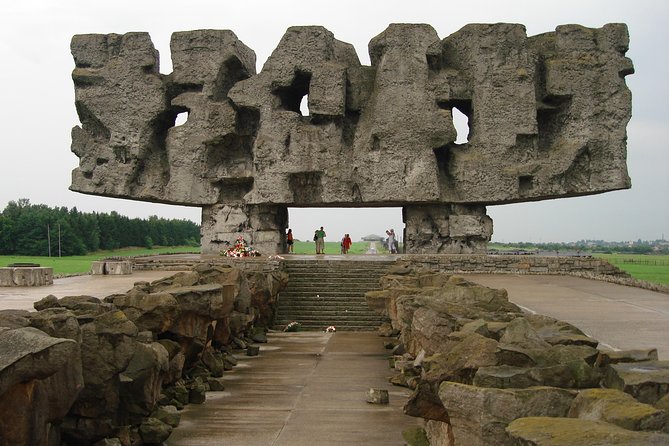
point(37, 230)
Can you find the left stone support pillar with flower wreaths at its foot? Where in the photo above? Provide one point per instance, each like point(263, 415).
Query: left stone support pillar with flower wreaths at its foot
point(262, 226)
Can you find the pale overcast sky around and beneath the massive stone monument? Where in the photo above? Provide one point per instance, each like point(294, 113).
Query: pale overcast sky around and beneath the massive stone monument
point(38, 99)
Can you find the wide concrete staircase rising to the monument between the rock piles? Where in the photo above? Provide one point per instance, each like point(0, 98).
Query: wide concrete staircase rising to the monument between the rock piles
point(323, 292)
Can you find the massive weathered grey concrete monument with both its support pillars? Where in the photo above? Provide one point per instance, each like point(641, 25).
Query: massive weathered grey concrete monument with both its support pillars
point(547, 117)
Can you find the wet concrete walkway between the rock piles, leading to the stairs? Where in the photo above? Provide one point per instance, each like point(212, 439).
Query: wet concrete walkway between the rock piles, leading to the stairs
point(305, 388)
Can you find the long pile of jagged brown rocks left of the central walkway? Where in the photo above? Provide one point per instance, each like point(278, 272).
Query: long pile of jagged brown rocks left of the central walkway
point(84, 371)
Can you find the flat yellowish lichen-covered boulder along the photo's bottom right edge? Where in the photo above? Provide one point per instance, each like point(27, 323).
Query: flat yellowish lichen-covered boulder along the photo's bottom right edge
point(547, 431)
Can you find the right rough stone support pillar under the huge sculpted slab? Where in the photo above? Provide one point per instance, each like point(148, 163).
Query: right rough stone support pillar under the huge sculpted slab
point(446, 229)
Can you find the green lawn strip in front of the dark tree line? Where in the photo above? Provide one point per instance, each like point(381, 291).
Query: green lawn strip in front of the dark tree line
point(82, 264)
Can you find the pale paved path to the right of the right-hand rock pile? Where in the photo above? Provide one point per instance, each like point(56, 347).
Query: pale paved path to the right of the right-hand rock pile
point(622, 317)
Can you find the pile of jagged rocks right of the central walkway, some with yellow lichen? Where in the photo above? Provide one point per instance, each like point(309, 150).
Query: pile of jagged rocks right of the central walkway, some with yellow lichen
point(484, 372)
